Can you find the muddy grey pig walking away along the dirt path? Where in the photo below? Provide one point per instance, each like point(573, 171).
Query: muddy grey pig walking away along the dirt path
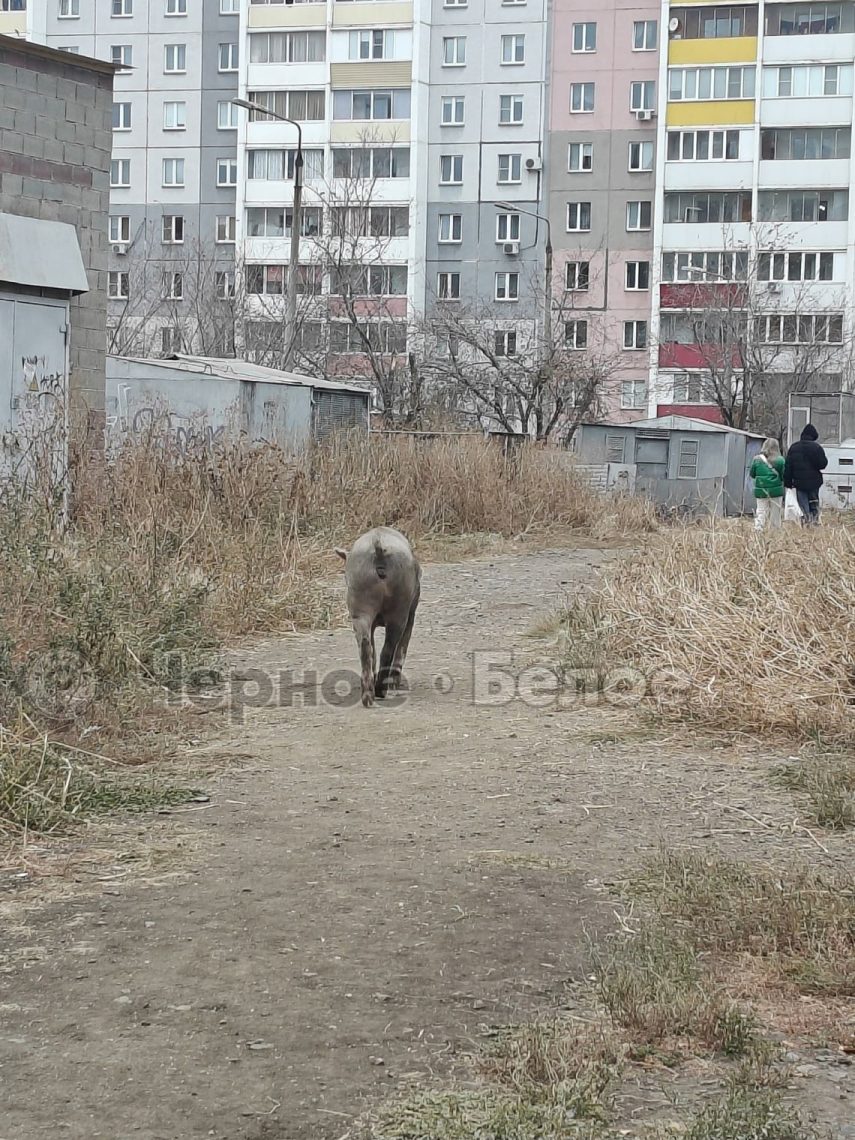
point(384, 582)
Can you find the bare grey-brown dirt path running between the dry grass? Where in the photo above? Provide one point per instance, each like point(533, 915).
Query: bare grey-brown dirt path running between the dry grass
point(368, 892)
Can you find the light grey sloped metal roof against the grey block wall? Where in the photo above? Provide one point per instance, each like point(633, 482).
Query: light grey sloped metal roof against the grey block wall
point(42, 255)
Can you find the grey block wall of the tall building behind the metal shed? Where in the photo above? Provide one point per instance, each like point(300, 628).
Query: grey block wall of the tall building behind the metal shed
point(55, 145)
